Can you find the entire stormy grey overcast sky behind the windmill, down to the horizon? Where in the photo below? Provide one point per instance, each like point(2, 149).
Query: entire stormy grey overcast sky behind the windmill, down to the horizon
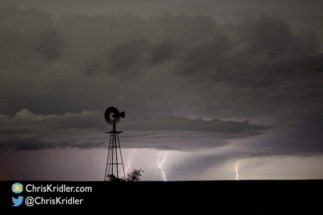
point(204, 84)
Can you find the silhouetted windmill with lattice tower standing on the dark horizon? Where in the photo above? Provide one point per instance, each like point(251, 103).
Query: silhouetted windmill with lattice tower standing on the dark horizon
point(114, 166)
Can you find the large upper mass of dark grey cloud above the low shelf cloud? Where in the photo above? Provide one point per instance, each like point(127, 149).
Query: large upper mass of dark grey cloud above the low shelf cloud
point(160, 63)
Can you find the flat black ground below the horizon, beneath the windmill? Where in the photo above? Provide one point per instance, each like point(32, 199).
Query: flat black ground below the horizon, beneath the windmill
point(198, 197)
